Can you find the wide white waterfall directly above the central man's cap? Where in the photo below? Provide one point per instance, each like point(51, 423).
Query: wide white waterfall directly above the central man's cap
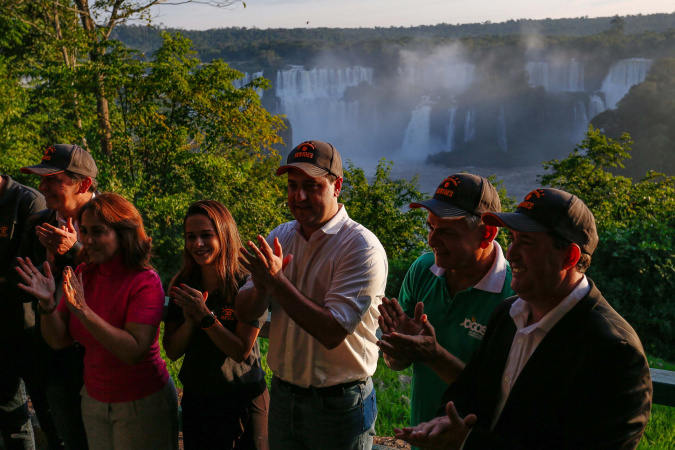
point(313, 100)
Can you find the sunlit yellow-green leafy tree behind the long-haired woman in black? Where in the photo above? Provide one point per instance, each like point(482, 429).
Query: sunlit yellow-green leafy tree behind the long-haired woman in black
point(185, 133)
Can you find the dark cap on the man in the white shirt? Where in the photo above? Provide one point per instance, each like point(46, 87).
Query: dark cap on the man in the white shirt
point(315, 158)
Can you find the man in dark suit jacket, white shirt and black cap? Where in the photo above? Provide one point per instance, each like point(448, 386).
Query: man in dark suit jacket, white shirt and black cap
point(558, 367)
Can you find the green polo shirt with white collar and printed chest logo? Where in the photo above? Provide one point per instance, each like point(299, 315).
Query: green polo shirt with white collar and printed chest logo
point(459, 322)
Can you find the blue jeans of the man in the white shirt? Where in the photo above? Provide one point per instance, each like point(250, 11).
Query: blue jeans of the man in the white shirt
point(313, 422)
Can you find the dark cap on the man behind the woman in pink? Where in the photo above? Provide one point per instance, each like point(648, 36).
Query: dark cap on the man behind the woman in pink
point(62, 157)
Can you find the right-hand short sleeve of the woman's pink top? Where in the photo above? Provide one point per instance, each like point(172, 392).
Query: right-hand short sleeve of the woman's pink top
point(146, 301)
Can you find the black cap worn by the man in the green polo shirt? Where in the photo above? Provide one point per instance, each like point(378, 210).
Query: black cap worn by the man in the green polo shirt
point(462, 194)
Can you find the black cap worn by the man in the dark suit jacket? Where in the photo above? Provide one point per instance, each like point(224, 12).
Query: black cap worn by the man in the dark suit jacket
point(551, 210)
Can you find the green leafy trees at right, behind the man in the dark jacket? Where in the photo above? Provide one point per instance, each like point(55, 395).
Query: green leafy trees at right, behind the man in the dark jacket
point(634, 264)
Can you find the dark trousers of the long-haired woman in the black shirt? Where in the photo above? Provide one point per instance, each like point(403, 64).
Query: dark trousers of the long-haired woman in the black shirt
point(226, 421)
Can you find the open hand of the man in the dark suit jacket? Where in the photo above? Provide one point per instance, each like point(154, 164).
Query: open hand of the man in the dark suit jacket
point(445, 432)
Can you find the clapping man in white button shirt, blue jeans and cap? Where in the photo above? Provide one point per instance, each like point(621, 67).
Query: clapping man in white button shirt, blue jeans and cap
point(323, 296)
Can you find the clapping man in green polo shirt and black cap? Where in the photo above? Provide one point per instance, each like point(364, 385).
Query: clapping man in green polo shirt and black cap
point(447, 296)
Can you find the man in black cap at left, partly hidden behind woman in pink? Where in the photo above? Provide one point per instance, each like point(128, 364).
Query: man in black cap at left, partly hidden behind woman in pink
point(68, 182)
